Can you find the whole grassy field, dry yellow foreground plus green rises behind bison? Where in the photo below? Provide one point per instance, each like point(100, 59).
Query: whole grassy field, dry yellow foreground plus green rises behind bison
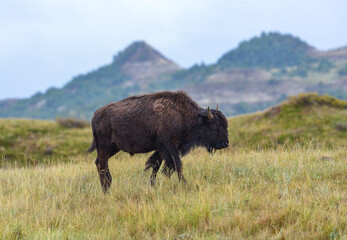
point(284, 177)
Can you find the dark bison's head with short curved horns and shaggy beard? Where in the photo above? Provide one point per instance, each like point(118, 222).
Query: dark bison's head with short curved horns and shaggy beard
point(214, 129)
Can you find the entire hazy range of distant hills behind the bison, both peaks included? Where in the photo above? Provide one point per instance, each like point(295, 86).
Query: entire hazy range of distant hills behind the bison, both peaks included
point(259, 73)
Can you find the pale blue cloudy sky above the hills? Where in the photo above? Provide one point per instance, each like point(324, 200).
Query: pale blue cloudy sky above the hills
point(45, 43)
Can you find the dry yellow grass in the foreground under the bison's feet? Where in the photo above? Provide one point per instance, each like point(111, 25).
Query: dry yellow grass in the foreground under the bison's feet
point(297, 193)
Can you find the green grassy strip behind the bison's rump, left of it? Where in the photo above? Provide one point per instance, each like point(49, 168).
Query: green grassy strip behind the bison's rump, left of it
point(31, 142)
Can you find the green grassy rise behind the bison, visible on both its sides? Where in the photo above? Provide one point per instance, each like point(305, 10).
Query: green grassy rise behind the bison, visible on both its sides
point(306, 120)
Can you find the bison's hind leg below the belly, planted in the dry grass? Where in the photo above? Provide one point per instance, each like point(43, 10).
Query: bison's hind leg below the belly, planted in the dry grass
point(103, 170)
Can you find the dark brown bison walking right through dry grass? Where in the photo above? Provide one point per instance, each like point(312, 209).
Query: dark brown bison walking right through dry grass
point(168, 123)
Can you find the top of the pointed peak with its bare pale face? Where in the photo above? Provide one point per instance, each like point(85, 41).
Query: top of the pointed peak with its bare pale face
point(144, 64)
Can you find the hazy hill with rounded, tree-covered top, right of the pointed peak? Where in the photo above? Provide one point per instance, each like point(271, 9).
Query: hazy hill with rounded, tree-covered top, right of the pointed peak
point(264, 70)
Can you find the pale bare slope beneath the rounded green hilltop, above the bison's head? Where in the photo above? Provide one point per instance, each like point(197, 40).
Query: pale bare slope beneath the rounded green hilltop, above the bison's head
point(242, 85)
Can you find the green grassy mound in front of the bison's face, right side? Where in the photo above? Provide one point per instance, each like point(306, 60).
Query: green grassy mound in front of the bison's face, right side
point(306, 120)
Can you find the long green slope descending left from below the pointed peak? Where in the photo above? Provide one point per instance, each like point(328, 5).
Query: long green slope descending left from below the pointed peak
point(78, 98)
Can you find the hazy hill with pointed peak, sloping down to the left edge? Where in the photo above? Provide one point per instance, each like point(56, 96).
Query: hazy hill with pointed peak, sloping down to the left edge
point(130, 72)
